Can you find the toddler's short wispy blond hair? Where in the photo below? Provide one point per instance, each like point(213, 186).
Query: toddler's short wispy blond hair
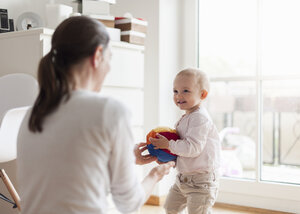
point(200, 76)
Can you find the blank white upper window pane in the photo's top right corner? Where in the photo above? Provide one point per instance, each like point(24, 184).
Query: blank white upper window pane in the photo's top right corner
point(280, 37)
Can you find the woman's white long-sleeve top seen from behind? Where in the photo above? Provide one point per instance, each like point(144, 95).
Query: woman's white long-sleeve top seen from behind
point(84, 152)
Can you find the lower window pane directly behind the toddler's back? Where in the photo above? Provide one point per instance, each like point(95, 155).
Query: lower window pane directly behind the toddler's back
point(232, 106)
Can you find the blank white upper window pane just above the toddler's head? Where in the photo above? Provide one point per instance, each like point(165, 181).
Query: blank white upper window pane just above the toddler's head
point(227, 37)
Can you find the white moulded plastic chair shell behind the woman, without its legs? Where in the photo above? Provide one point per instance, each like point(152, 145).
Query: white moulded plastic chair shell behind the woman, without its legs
point(16, 90)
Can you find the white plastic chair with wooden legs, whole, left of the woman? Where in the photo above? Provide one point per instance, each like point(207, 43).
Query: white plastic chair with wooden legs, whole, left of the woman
point(16, 91)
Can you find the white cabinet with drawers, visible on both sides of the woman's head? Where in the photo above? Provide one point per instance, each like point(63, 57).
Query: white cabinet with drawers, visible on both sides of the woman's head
point(21, 51)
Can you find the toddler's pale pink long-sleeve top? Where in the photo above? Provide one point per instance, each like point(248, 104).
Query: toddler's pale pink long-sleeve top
point(199, 146)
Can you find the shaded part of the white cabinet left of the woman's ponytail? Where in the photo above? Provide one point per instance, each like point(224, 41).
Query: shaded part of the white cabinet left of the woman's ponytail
point(20, 51)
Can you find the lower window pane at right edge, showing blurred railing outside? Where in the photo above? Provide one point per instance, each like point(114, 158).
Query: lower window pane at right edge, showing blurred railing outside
point(281, 131)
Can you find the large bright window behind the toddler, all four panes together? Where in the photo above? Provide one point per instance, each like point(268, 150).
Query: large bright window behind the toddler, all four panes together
point(251, 50)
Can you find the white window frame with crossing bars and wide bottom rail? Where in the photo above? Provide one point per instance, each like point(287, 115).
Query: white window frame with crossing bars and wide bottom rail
point(251, 193)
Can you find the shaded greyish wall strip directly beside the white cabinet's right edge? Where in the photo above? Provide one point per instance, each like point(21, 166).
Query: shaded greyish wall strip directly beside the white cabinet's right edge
point(148, 10)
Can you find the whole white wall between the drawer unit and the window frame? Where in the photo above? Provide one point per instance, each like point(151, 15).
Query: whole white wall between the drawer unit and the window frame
point(163, 59)
